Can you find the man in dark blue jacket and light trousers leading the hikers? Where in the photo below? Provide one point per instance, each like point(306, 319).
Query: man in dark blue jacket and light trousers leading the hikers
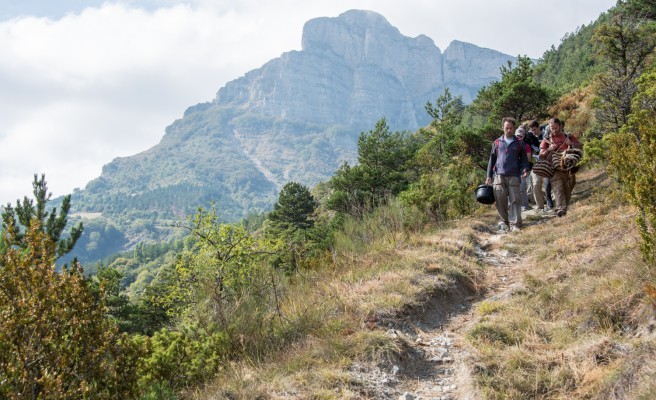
point(508, 163)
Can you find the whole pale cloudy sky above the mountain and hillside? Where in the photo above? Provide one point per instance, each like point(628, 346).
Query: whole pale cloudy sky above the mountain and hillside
point(85, 81)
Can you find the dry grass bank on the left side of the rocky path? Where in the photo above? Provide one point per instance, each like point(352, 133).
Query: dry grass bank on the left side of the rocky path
point(376, 276)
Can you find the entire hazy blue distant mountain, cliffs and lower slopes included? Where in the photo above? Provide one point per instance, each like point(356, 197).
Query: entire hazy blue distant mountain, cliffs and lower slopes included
point(295, 118)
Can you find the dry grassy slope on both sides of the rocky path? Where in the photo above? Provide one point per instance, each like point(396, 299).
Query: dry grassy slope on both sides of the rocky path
point(580, 327)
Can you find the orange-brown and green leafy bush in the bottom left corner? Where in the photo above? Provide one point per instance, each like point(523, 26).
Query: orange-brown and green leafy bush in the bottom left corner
point(55, 341)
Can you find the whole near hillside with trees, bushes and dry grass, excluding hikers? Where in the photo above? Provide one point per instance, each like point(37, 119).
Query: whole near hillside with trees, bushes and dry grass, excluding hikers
point(315, 298)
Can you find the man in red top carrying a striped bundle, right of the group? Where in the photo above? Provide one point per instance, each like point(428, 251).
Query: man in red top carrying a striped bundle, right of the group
point(562, 182)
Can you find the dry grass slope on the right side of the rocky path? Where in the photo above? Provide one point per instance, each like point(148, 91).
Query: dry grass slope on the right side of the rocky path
point(583, 318)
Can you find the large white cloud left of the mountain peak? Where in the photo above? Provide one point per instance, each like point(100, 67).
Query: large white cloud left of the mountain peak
point(105, 83)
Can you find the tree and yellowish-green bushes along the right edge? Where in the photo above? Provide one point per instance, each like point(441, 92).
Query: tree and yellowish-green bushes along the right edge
point(626, 109)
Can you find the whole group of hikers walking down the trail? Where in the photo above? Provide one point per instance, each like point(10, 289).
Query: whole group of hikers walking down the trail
point(516, 183)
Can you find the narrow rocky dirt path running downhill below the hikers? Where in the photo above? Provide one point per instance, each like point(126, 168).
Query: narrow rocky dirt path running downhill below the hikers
point(440, 357)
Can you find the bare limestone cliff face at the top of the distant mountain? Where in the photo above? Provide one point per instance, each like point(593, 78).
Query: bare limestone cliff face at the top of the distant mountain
point(357, 68)
